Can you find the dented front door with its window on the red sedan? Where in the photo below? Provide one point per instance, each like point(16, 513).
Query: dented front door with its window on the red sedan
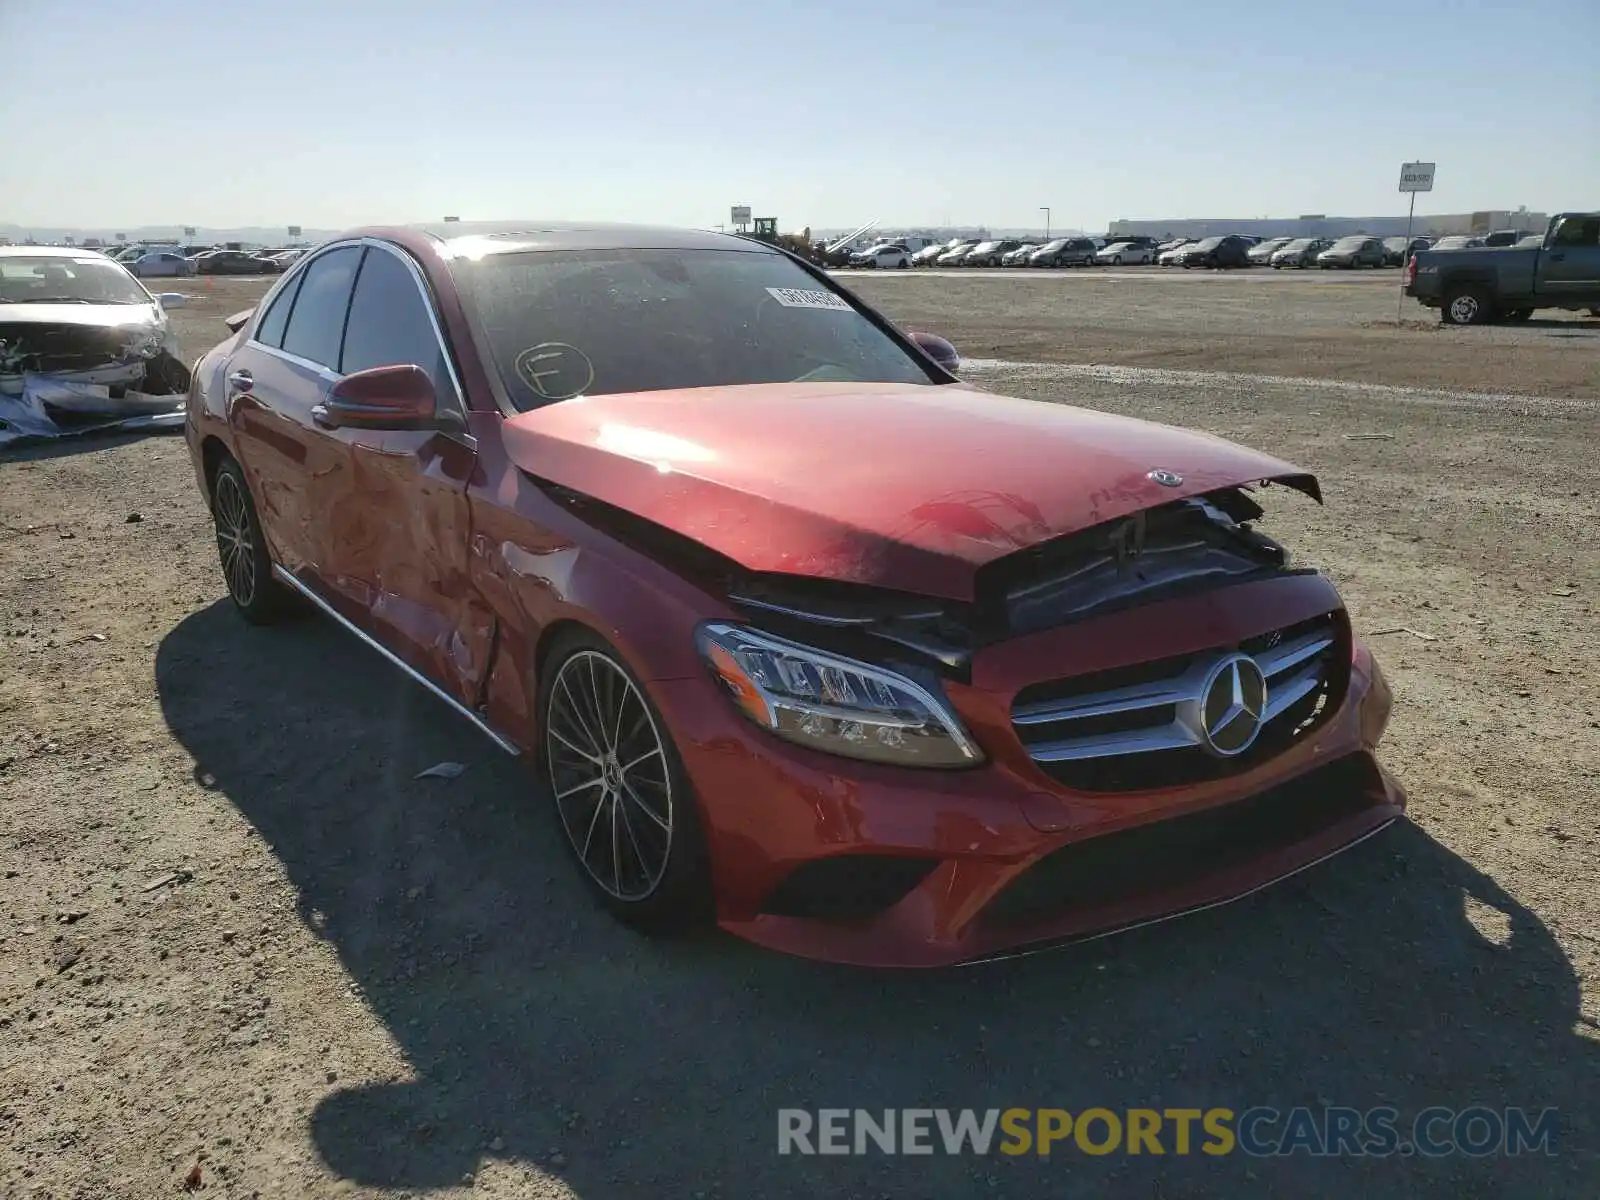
point(399, 524)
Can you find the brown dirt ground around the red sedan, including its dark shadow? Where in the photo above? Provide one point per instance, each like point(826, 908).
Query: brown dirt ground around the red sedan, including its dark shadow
point(238, 935)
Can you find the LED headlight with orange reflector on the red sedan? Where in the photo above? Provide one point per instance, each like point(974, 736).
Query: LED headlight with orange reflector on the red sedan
point(833, 703)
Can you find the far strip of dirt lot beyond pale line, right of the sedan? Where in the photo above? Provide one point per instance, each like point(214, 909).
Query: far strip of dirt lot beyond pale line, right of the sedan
point(1321, 324)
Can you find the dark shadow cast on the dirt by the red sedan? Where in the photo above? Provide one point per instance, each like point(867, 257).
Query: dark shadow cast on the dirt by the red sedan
point(540, 1031)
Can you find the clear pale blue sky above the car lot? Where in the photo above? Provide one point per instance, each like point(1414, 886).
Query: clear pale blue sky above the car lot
point(334, 113)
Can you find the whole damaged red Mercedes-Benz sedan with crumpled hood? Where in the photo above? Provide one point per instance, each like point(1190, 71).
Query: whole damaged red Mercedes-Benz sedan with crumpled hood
point(804, 634)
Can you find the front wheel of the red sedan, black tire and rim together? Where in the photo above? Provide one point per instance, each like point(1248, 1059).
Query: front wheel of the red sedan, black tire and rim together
point(650, 802)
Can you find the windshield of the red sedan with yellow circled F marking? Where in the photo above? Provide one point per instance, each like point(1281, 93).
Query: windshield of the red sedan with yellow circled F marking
point(594, 322)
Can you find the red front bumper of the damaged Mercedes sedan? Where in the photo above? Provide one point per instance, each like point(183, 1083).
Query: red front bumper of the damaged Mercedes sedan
point(998, 860)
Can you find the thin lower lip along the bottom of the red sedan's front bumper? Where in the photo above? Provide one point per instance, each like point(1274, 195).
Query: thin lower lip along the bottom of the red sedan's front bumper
point(895, 943)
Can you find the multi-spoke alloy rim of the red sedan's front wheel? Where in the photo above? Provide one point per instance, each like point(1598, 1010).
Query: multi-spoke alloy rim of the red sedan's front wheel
point(610, 777)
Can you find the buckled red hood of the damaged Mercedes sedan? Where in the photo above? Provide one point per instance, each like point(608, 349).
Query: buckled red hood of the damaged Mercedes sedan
point(898, 486)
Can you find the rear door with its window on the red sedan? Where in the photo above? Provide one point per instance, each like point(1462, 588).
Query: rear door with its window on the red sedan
point(274, 380)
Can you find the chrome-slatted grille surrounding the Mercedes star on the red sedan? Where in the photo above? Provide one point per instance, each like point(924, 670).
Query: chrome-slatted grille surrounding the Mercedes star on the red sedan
point(1143, 727)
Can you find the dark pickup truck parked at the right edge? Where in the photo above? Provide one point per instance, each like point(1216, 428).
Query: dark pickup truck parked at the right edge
point(1473, 287)
